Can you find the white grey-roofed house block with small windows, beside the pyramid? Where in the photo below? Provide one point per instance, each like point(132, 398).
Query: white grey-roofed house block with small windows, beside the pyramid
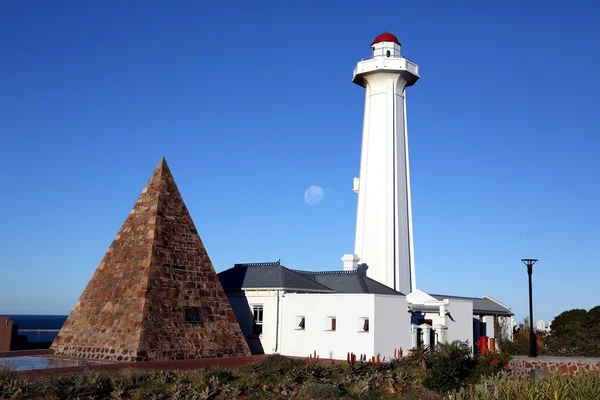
point(297, 312)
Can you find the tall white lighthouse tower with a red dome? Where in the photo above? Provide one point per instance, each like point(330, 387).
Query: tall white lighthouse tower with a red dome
point(384, 238)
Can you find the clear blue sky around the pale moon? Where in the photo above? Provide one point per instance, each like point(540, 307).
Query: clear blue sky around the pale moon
point(252, 102)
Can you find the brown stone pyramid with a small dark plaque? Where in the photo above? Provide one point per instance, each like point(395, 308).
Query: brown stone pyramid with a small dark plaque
point(155, 294)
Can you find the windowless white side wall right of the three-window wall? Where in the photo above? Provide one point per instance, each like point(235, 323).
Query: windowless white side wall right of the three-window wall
point(391, 325)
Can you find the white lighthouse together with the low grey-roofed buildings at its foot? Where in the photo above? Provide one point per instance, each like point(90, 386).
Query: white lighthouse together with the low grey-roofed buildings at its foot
point(373, 307)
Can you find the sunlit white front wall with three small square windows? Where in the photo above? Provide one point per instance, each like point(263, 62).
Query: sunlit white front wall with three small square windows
point(347, 308)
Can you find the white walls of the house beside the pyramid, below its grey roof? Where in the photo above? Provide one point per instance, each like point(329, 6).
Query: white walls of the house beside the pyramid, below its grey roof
point(389, 323)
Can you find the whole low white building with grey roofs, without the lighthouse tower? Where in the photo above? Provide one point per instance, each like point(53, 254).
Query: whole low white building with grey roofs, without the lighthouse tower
point(294, 313)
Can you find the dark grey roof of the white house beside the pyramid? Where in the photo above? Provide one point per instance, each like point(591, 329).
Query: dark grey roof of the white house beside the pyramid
point(274, 275)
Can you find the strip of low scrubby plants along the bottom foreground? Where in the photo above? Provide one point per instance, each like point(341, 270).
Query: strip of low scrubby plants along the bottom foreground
point(448, 367)
